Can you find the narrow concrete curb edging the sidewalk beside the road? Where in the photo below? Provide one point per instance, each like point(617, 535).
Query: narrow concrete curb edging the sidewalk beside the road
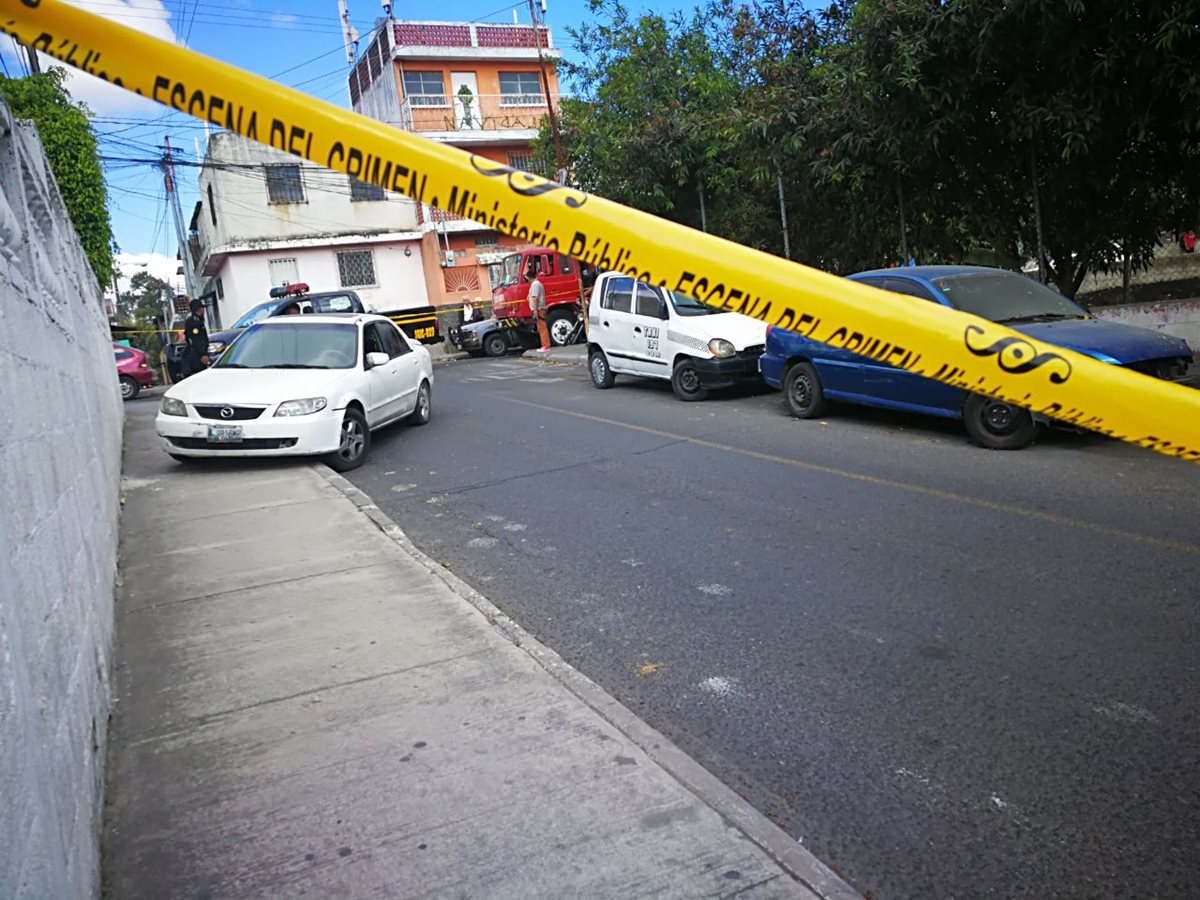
point(793, 857)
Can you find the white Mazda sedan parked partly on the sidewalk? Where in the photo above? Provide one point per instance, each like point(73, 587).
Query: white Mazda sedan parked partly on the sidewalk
point(301, 386)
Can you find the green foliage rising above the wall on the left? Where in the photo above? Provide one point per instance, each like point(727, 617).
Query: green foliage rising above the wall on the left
point(71, 148)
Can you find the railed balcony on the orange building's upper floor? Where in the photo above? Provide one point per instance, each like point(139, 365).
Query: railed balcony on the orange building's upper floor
point(485, 117)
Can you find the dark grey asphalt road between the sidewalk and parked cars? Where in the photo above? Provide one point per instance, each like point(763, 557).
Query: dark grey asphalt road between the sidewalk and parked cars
point(950, 673)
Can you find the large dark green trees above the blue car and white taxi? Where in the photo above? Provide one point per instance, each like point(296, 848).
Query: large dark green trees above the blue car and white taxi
point(947, 131)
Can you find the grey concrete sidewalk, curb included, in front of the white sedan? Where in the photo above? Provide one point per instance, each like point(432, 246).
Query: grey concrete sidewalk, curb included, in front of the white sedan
point(310, 707)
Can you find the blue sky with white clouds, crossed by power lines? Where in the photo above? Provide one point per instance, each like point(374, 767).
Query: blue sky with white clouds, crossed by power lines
point(296, 43)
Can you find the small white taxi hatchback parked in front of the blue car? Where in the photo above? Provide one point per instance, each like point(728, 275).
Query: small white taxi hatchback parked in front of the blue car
point(638, 329)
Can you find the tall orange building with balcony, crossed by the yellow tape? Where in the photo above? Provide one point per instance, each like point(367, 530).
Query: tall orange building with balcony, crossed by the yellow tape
point(473, 86)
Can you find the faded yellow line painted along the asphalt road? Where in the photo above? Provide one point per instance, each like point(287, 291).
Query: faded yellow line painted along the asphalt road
point(950, 496)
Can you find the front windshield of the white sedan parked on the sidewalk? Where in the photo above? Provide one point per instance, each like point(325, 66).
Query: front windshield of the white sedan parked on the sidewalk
point(281, 345)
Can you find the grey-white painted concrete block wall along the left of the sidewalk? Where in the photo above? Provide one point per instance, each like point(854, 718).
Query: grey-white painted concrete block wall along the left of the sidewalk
point(61, 442)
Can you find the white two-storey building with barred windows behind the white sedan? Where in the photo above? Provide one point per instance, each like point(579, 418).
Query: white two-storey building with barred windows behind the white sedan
point(268, 219)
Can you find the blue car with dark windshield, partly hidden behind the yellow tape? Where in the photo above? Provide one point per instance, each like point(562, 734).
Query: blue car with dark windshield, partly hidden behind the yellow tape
point(813, 374)
